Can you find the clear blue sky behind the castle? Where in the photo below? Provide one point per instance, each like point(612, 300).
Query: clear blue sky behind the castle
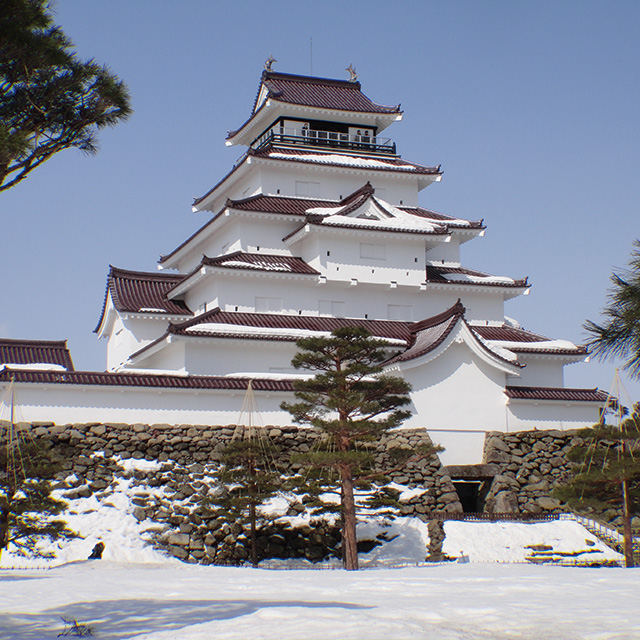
point(532, 108)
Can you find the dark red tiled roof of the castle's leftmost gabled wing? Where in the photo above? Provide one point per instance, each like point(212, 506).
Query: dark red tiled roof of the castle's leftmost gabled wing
point(142, 292)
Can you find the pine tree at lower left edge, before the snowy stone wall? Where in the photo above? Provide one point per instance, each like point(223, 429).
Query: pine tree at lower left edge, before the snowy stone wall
point(27, 508)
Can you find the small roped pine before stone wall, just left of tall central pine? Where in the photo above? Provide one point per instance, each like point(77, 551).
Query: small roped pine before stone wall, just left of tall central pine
point(249, 479)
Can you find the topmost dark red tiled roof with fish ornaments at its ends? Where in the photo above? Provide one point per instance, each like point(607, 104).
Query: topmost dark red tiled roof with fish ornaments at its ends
point(324, 93)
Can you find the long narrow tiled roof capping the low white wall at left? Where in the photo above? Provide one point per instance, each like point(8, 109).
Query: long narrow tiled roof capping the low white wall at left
point(109, 379)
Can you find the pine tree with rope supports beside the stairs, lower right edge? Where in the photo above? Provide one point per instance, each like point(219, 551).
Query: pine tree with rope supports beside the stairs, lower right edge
point(607, 473)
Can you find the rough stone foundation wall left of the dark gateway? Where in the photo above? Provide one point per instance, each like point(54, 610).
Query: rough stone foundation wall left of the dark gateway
point(171, 496)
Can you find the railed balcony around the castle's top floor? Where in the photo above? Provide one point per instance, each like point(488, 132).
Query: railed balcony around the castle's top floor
point(307, 137)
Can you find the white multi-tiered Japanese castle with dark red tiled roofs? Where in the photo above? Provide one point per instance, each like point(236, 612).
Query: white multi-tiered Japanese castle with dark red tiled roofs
point(317, 226)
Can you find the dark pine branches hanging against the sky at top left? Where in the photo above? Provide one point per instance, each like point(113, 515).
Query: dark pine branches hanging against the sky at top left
point(49, 100)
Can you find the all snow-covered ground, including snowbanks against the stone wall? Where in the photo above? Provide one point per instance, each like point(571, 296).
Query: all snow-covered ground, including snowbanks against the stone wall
point(138, 592)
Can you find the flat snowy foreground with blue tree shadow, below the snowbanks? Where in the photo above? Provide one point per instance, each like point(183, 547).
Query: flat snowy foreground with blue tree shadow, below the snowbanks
point(174, 601)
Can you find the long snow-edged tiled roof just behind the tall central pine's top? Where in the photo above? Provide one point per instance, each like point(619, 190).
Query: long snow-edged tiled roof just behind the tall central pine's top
point(379, 328)
